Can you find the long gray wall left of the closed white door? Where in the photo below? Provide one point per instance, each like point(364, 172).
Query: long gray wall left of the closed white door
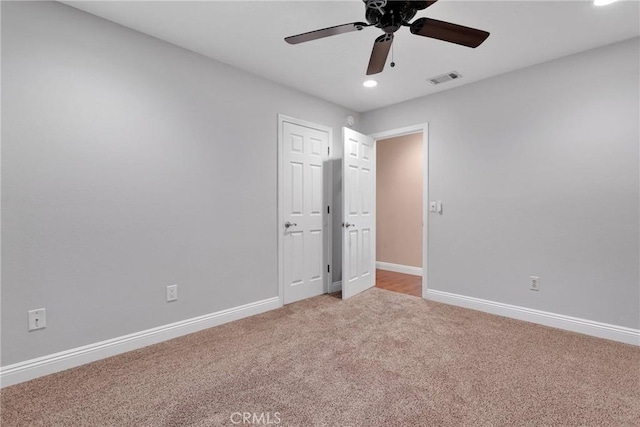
point(129, 164)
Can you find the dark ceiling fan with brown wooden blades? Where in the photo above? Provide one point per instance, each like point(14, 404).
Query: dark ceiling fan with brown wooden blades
point(389, 16)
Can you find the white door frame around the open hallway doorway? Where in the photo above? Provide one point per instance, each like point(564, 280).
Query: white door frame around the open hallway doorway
point(409, 130)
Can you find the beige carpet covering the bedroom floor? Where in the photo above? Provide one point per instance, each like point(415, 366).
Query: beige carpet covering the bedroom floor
point(379, 359)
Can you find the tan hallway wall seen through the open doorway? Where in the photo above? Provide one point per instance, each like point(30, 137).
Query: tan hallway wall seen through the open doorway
point(399, 200)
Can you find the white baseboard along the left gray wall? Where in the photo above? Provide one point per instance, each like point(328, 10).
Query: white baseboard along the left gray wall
point(34, 368)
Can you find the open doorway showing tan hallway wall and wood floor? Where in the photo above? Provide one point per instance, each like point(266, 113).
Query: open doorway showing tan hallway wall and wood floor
point(402, 210)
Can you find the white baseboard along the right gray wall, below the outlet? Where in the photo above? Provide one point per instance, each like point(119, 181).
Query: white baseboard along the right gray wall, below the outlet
point(583, 326)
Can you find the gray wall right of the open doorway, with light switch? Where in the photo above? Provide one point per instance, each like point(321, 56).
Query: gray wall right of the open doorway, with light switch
point(538, 173)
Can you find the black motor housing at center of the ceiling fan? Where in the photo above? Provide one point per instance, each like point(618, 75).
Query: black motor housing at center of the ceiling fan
point(390, 15)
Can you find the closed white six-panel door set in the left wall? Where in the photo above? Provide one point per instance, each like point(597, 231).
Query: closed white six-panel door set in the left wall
point(304, 216)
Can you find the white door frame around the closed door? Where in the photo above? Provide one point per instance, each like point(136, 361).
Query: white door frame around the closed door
point(327, 170)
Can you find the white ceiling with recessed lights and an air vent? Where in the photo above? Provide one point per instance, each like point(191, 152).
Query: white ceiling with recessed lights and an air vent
point(249, 35)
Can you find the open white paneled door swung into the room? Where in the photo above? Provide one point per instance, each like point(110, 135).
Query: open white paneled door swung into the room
point(358, 213)
